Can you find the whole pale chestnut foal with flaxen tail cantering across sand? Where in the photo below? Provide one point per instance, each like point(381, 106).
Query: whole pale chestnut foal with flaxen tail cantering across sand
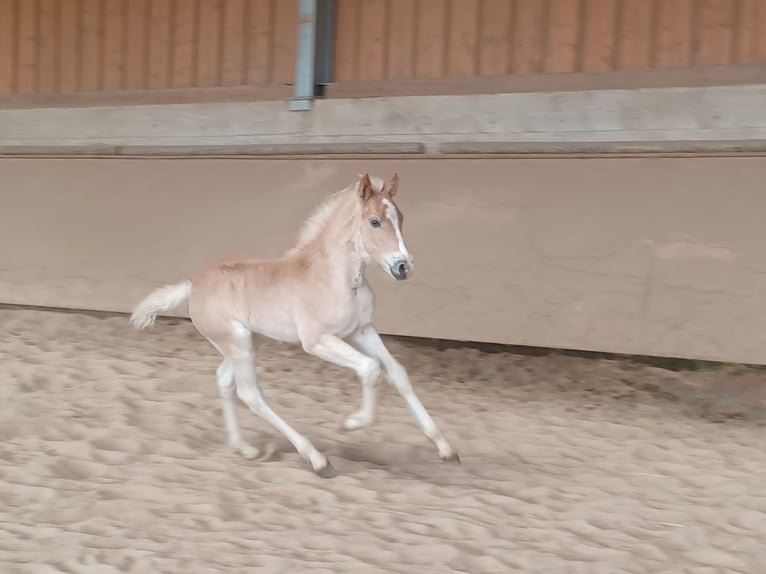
point(317, 295)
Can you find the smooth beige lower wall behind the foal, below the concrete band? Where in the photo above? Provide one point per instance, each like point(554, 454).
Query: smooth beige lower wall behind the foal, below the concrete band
point(647, 256)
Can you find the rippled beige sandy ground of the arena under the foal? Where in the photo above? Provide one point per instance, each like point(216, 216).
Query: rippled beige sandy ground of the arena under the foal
point(113, 461)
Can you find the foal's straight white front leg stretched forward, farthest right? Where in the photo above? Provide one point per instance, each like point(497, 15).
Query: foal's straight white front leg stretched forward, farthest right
point(368, 340)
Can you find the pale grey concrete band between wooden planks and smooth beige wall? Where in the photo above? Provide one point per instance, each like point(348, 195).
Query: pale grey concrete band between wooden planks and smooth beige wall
point(433, 124)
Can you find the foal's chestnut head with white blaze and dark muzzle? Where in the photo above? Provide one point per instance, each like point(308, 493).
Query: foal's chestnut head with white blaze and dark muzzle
point(381, 227)
